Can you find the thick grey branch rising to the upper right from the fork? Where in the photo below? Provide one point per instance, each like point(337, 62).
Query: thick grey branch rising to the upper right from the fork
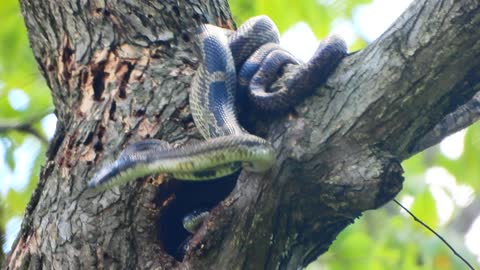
point(340, 154)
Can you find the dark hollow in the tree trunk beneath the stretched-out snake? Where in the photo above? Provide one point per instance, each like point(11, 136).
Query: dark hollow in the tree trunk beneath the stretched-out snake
point(189, 196)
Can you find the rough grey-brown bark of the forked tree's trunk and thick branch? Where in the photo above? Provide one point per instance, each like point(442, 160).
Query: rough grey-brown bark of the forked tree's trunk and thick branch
point(120, 72)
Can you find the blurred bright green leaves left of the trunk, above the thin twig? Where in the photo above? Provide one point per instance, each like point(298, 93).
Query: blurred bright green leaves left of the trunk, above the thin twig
point(18, 70)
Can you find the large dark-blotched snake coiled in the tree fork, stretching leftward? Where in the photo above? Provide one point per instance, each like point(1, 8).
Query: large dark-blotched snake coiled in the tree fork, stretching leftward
point(235, 65)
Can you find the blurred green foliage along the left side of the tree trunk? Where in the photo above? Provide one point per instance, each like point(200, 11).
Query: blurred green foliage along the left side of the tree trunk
point(24, 98)
